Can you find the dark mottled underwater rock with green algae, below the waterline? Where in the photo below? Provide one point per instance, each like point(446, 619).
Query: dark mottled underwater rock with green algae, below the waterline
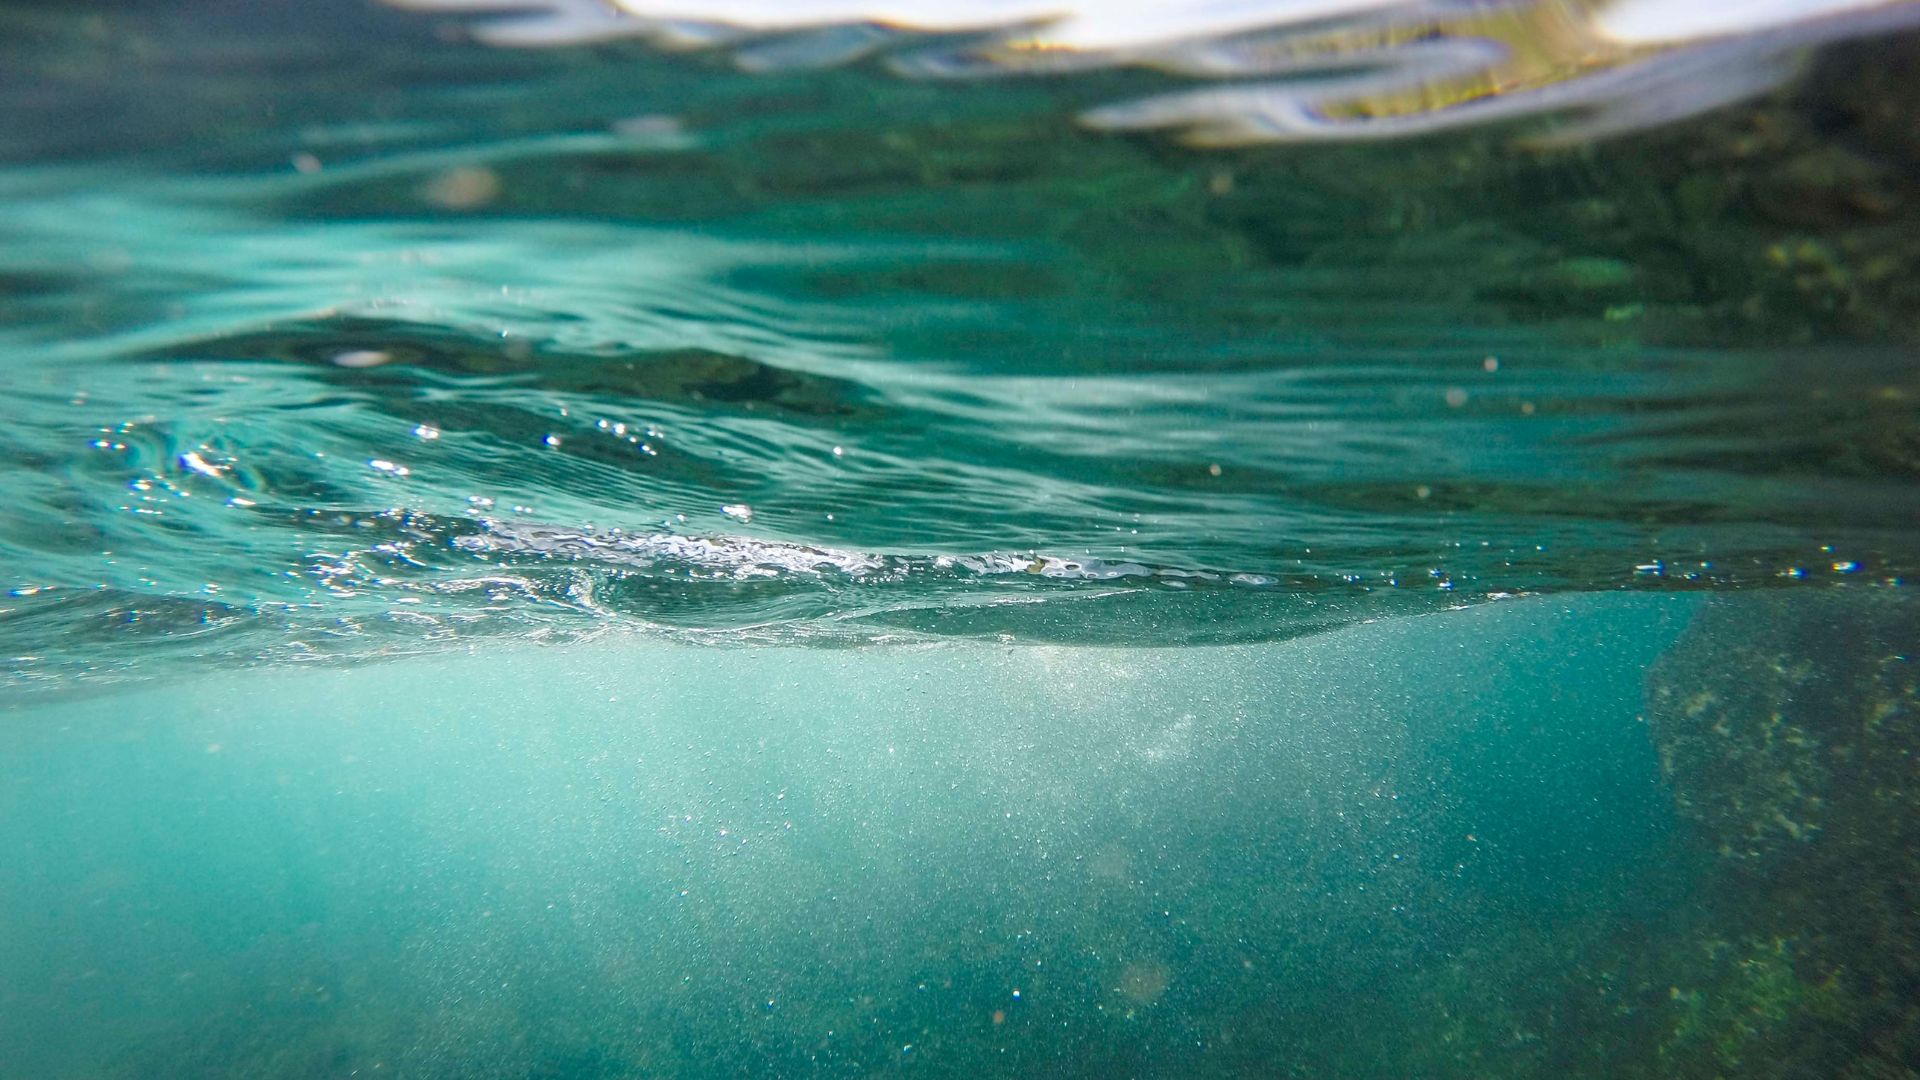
point(1787, 727)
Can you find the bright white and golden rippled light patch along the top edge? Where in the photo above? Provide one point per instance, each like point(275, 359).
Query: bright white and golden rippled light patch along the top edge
point(1274, 70)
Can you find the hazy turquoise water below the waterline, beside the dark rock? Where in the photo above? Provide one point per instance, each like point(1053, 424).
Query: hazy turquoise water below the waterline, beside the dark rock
point(636, 860)
